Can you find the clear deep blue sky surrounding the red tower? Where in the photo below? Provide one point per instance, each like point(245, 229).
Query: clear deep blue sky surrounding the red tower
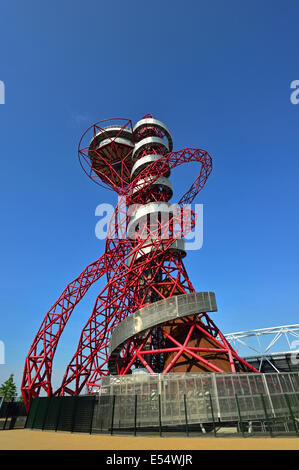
point(218, 73)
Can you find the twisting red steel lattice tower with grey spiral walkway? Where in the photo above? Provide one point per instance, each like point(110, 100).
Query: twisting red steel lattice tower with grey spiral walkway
point(148, 316)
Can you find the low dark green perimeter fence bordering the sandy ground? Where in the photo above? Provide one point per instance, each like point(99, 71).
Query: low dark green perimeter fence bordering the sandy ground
point(139, 414)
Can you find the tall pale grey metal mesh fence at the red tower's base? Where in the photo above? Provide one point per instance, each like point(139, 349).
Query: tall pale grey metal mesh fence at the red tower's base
point(171, 400)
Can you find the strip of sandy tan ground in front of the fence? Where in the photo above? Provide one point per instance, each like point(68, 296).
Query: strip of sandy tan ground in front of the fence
point(33, 440)
